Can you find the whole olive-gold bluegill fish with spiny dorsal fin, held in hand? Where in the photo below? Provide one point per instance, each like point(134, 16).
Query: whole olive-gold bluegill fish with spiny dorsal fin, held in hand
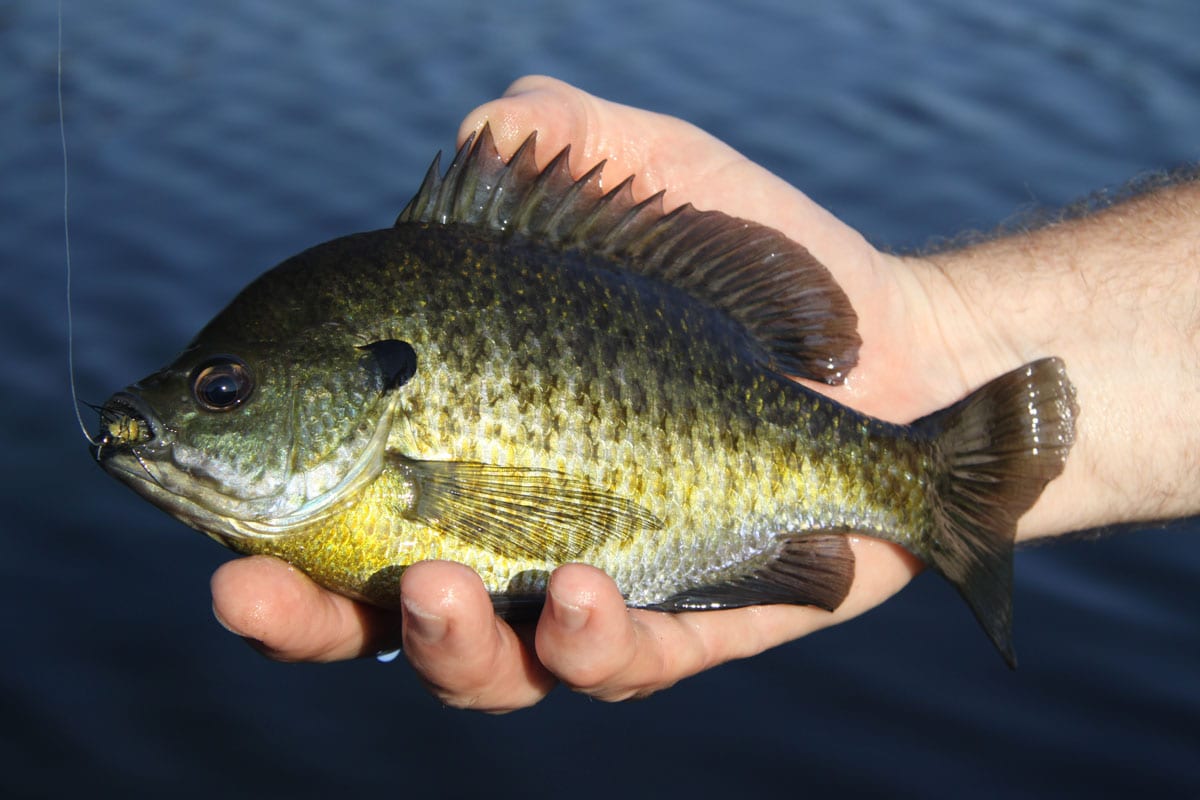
point(529, 370)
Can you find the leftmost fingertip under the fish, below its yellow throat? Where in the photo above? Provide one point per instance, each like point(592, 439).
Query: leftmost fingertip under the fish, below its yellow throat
point(283, 613)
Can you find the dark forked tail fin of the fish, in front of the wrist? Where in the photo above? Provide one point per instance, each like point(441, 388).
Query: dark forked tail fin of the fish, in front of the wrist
point(1000, 447)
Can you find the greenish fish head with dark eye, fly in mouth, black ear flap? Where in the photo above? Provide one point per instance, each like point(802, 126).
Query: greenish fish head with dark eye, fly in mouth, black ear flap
point(257, 437)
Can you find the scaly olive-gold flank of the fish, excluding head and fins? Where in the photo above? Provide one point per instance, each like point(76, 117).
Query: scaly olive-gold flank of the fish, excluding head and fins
point(581, 416)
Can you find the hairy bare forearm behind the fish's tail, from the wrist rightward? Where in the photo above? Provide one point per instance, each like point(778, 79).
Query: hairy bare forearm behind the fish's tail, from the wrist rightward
point(1115, 294)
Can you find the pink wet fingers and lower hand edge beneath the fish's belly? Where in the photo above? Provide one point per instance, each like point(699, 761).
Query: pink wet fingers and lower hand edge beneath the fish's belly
point(586, 637)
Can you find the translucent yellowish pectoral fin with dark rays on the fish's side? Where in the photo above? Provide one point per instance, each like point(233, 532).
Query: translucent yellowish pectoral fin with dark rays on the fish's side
point(520, 513)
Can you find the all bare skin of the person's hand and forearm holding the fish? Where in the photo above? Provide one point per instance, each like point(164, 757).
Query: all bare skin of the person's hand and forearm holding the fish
point(1115, 294)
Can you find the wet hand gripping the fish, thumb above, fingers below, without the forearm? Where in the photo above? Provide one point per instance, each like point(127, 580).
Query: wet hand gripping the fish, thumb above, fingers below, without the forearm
point(926, 344)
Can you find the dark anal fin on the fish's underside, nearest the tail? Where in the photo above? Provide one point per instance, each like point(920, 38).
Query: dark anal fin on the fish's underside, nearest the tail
point(803, 570)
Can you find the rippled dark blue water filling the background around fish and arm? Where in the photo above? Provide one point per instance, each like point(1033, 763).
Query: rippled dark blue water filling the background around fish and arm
point(211, 141)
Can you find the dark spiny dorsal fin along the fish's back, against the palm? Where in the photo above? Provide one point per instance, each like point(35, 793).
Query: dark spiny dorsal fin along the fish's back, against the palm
point(787, 300)
